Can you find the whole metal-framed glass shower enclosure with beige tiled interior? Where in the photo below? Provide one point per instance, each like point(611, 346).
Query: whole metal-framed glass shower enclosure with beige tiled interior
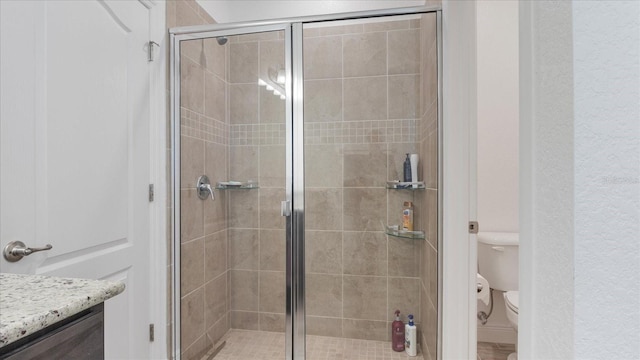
point(301, 127)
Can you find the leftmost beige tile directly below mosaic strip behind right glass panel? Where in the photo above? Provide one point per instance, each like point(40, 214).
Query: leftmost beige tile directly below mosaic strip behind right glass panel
point(323, 165)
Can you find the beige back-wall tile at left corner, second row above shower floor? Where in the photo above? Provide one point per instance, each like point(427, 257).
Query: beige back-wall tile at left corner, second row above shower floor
point(243, 291)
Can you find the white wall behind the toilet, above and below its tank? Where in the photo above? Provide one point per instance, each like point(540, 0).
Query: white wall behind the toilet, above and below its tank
point(497, 143)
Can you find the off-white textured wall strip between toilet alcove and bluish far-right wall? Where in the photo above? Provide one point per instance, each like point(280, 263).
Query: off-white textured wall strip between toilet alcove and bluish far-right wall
point(547, 171)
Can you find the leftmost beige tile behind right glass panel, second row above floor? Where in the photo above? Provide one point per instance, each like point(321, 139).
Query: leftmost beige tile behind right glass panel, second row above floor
point(323, 295)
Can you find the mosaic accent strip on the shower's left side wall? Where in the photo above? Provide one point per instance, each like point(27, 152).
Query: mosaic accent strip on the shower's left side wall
point(202, 127)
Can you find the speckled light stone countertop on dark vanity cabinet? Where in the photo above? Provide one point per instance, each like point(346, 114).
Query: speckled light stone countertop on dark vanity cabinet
point(29, 303)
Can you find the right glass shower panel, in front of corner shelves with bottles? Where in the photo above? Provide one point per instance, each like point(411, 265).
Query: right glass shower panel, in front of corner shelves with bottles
point(370, 98)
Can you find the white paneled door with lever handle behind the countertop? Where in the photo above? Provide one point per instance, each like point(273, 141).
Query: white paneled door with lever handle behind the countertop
point(74, 169)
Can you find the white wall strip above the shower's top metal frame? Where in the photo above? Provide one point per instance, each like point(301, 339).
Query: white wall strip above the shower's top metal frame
point(225, 11)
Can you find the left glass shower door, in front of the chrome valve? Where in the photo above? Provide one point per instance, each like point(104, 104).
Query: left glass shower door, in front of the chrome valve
point(231, 252)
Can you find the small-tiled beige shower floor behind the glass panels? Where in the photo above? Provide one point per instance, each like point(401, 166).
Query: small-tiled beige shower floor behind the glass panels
point(262, 345)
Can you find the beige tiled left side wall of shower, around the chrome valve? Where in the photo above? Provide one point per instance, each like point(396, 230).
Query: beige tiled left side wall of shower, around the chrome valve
point(204, 145)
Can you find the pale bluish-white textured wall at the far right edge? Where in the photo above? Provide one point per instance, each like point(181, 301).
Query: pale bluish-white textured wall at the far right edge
point(607, 179)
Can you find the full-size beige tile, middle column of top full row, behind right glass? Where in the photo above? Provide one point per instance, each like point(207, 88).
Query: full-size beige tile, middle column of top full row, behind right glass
point(365, 54)
